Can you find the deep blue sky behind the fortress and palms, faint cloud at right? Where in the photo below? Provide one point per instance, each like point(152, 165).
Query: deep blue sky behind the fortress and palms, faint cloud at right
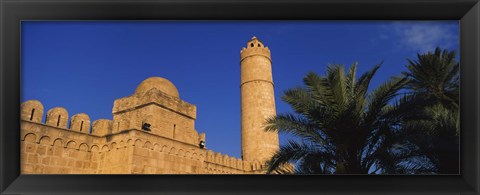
point(85, 66)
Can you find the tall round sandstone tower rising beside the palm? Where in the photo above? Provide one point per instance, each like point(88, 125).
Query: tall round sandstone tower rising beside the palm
point(258, 102)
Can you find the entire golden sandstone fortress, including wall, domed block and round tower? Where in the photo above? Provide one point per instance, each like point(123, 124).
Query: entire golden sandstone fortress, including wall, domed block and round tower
point(60, 144)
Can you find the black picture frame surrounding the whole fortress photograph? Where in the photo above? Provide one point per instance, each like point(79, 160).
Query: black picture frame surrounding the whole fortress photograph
point(14, 11)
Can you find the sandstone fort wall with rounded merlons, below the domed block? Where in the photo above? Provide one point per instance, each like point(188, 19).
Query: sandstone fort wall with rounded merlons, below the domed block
point(51, 148)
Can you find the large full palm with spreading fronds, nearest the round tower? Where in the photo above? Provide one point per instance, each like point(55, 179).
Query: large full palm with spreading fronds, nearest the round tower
point(339, 127)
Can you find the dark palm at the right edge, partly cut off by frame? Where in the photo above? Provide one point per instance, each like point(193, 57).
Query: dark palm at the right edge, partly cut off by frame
point(434, 77)
